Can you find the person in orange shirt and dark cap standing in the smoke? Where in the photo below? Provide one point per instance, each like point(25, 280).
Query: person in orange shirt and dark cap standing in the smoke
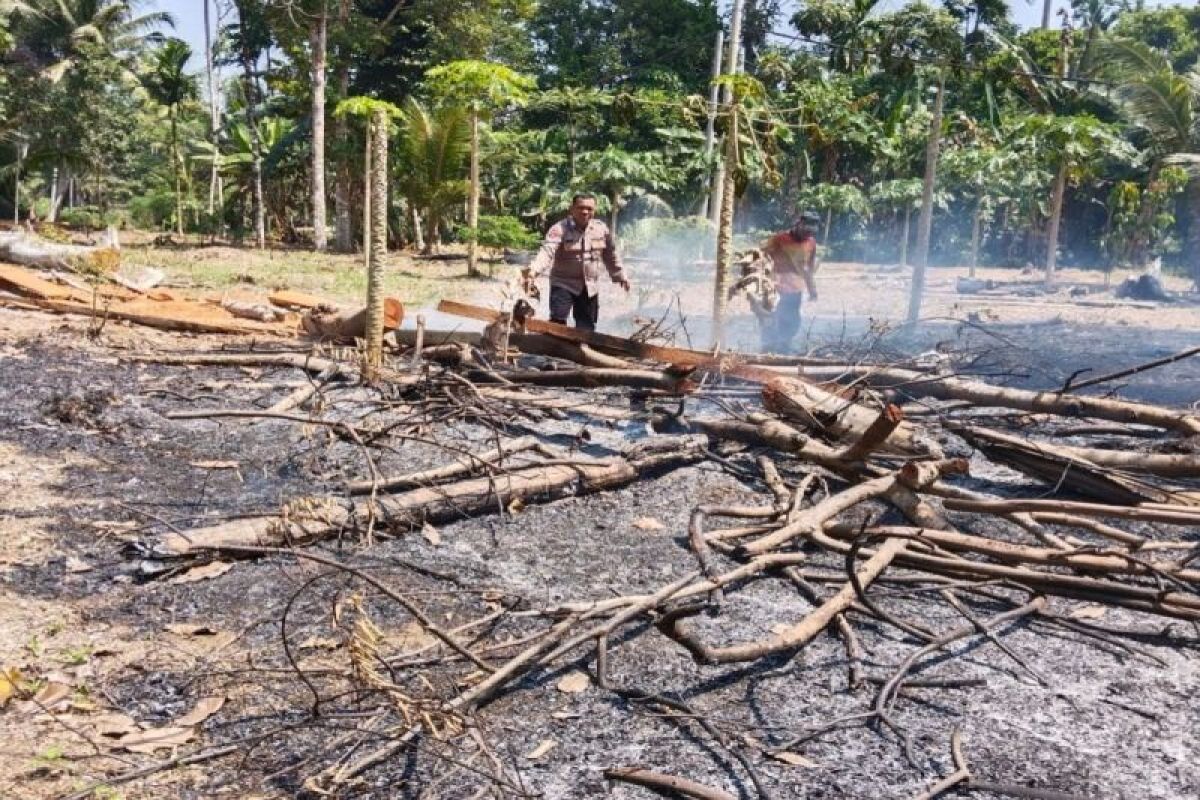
point(794, 255)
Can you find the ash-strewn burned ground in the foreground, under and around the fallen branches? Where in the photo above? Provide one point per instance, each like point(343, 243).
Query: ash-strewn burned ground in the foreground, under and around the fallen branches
point(92, 468)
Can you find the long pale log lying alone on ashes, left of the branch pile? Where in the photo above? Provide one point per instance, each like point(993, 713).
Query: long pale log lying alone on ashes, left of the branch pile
point(309, 521)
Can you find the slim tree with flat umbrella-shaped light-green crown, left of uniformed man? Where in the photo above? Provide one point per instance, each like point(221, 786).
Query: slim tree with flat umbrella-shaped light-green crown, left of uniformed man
point(485, 88)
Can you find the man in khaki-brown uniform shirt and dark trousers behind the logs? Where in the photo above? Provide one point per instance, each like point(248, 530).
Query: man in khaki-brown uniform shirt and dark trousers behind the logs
point(574, 251)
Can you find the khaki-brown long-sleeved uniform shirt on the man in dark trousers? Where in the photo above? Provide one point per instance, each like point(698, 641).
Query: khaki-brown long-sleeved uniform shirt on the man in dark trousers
point(574, 257)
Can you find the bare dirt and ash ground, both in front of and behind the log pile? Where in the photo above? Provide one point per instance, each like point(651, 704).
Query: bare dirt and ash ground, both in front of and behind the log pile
point(91, 466)
